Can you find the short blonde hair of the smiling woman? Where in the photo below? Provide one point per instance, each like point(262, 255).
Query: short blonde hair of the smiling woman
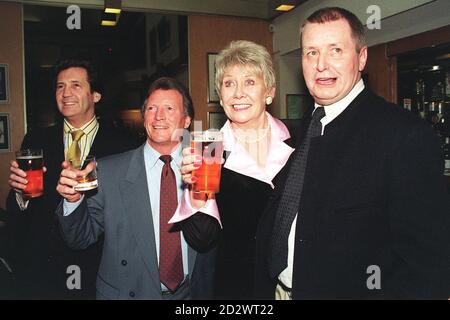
point(247, 54)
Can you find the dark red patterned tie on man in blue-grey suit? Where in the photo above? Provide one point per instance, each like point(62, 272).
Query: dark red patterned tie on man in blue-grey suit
point(170, 261)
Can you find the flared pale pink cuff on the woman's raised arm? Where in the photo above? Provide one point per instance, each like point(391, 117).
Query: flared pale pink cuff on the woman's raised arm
point(185, 209)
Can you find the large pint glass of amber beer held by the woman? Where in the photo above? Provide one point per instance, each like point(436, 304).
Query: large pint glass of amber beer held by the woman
point(209, 145)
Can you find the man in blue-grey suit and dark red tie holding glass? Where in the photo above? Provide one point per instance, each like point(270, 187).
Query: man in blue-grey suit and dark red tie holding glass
point(130, 206)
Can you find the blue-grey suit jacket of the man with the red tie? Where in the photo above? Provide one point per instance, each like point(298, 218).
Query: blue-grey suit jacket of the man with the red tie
point(121, 210)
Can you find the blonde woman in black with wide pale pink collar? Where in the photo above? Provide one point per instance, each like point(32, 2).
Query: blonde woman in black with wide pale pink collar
point(257, 146)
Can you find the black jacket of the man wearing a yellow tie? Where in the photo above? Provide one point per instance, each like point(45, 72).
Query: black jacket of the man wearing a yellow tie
point(40, 257)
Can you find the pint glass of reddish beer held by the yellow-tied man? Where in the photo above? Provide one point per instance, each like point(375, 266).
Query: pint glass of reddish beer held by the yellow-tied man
point(32, 162)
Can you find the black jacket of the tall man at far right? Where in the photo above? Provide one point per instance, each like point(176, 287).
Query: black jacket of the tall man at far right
point(373, 195)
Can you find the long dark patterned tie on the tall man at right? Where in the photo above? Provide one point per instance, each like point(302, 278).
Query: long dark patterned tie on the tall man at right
point(290, 199)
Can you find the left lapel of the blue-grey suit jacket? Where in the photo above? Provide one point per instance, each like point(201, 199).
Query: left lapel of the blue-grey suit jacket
point(136, 200)
